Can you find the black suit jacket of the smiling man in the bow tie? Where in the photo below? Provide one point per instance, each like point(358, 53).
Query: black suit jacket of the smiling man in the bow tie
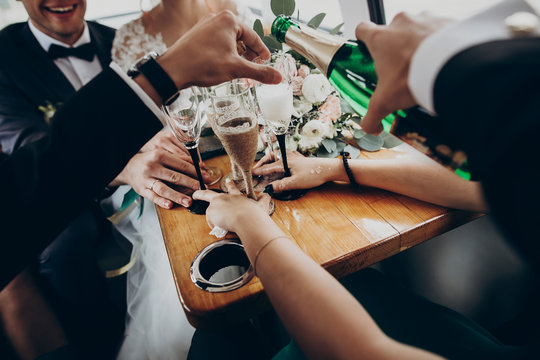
point(30, 79)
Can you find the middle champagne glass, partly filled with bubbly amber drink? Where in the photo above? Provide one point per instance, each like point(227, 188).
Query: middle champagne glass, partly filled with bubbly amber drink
point(233, 119)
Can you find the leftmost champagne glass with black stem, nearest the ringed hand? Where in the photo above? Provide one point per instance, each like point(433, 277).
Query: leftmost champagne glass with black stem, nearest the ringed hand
point(184, 118)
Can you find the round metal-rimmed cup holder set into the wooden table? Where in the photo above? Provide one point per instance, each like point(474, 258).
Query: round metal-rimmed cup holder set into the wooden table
point(221, 266)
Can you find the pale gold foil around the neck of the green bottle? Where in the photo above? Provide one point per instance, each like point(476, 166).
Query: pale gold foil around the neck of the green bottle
point(317, 47)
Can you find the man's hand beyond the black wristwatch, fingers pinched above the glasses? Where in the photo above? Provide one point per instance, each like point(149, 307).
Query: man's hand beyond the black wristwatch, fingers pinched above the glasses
point(207, 54)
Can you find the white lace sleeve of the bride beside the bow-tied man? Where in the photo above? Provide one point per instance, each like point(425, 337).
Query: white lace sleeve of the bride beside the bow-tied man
point(132, 42)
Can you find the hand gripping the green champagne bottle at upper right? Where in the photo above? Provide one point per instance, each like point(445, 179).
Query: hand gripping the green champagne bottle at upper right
point(392, 48)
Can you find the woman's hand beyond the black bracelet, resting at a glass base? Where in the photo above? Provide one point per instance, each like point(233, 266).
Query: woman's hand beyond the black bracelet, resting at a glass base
point(306, 173)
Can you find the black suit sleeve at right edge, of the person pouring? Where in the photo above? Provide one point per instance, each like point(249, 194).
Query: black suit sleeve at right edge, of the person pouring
point(489, 97)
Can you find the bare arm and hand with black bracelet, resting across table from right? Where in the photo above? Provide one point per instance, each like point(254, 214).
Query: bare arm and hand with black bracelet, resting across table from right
point(416, 176)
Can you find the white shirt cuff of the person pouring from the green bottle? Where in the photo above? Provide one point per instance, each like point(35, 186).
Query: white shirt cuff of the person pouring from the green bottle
point(437, 49)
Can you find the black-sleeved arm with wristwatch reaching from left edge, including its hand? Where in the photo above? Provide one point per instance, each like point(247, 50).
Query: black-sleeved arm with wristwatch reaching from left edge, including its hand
point(44, 185)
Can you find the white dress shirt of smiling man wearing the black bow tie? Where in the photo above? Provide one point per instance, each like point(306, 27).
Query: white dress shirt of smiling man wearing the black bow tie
point(78, 71)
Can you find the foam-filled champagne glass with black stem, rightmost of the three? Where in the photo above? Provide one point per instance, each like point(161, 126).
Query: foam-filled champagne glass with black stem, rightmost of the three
point(276, 104)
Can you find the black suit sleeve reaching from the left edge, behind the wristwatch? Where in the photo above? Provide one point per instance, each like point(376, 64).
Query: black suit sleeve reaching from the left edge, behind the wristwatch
point(44, 185)
